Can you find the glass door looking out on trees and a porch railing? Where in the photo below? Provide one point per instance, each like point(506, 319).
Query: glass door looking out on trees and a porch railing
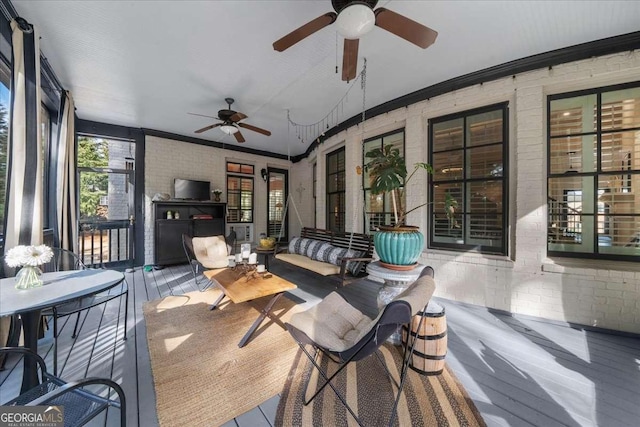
point(107, 221)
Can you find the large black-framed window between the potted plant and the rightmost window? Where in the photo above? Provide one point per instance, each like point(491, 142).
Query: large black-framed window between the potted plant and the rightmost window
point(468, 189)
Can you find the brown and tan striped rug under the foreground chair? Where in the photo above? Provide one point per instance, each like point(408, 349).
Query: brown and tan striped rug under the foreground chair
point(426, 400)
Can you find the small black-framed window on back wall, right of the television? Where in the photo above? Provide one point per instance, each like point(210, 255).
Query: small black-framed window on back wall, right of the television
point(240, 188)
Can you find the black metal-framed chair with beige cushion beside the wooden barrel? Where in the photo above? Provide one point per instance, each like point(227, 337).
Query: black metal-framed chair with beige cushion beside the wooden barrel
point(325, 328)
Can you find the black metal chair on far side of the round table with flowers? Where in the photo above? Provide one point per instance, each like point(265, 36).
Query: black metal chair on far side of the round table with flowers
point(65, 260)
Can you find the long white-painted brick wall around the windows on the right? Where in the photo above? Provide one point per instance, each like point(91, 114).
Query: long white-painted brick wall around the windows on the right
point(604, 294)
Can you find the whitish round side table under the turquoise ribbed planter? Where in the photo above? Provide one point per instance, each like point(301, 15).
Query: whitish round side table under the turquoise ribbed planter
point(395, 281)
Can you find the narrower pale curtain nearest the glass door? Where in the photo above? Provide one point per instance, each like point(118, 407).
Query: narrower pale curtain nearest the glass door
point(64, 159)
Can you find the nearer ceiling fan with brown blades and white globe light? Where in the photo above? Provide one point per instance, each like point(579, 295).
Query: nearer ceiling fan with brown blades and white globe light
point(355, 18)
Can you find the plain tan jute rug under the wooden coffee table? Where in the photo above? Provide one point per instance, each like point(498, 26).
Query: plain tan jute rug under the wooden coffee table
point(201, 377)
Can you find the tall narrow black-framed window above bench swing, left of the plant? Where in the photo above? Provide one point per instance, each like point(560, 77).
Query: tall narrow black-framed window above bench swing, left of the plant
point(336, 175)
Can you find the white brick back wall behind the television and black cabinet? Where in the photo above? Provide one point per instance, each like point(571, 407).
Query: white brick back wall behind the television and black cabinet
point(167, 159)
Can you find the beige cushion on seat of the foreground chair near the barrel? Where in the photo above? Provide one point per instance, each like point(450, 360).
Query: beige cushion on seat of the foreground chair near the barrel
point(333, 323)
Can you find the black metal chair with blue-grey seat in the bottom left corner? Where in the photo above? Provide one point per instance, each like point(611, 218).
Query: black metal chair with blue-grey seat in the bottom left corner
point(82, 400)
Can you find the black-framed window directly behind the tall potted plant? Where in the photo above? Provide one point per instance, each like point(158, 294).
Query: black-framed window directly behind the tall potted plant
point(378, 207)
